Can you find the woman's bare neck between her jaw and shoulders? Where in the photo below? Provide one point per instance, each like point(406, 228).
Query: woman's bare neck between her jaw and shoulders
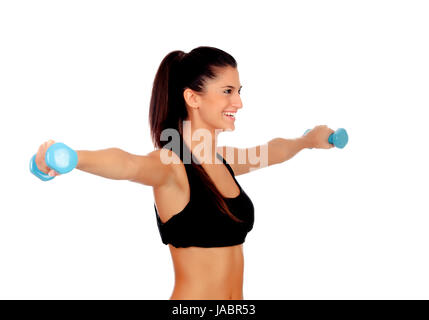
point(202, 142)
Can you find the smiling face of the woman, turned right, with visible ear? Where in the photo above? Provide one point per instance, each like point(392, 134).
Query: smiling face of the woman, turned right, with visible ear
point(216, 107)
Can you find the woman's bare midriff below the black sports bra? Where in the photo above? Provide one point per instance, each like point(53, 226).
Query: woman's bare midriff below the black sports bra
point(208, 273)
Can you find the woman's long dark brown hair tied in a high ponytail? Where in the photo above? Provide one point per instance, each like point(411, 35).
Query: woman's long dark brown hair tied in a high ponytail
point(177, 72)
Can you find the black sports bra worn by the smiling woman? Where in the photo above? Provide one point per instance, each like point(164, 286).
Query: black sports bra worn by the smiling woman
point(200, 223)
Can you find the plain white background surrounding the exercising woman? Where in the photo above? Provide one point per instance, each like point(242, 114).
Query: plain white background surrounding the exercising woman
point(346, 223)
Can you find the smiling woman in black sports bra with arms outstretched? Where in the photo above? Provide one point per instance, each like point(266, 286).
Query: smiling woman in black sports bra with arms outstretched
point(202, 212)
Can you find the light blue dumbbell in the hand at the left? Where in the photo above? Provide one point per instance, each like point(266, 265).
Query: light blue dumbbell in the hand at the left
point(58, 157)
